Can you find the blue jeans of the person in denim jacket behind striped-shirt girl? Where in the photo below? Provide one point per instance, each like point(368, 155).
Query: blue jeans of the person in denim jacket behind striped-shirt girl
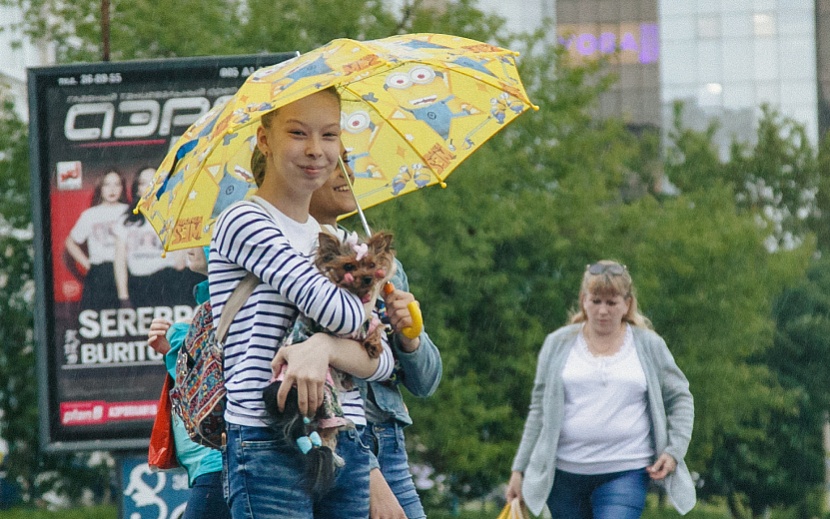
point(387, 442)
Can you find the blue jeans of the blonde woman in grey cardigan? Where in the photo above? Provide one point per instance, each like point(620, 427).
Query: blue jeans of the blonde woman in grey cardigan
point(618, 495)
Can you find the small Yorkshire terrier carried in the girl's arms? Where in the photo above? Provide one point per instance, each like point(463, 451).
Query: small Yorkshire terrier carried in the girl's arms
point(361, 268)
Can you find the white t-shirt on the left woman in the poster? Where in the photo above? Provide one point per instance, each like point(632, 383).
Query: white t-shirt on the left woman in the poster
point(95, 227)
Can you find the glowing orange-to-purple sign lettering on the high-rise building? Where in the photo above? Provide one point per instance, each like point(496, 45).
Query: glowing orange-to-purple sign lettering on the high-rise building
point(640, 40)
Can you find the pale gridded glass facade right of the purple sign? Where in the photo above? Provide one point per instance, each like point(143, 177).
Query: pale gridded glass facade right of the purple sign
point(726, 58)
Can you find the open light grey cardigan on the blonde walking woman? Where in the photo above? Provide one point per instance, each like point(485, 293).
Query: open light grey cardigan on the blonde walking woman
point(670, 403)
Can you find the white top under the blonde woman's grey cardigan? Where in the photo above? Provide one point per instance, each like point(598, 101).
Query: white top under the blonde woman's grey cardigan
point(606, 427)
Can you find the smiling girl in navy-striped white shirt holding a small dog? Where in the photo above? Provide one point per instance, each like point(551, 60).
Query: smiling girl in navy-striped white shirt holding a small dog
point(273, 238)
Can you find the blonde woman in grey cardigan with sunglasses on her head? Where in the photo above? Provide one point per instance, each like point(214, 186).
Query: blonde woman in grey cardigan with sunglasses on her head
point(610, 410)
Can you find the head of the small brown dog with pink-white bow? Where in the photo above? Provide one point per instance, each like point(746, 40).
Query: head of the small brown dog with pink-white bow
point(357, 266)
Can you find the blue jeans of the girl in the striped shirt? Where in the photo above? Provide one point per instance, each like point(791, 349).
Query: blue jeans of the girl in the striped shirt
point(264, 477)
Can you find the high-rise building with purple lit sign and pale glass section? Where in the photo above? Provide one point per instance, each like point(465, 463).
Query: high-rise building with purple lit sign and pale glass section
point(723, 59)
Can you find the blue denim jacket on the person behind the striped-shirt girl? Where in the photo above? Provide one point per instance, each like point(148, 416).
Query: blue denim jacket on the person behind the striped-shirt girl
point(420, 370)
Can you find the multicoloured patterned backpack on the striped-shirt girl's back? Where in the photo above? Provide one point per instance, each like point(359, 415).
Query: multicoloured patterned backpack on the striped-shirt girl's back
point(199, 394)
